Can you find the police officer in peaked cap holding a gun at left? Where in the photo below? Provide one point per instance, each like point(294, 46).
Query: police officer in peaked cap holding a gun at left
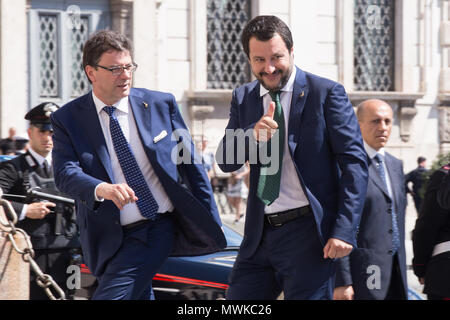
point(50, 225)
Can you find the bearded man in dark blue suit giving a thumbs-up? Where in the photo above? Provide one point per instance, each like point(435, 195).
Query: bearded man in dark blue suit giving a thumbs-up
point(305, 203)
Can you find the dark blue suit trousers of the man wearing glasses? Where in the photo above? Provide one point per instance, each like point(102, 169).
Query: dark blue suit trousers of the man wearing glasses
point(129, 273)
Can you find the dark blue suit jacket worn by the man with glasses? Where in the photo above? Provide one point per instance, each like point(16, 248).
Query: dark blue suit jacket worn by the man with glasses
point(81, 161)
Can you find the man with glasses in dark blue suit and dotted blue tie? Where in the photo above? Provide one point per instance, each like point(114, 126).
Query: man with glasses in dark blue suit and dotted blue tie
point(115, 151)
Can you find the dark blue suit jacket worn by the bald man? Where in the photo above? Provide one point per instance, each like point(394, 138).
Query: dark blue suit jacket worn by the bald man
point(374, 238)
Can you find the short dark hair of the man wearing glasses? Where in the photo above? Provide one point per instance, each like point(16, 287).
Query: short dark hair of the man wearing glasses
point(101, 42)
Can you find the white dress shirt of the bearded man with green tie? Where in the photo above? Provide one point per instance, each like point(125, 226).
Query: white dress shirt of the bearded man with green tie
point(292, 194)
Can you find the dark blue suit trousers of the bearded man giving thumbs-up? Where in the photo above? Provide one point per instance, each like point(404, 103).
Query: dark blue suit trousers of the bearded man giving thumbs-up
point(289, 259)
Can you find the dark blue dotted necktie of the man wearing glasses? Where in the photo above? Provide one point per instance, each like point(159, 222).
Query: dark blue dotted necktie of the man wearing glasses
point(133, 175)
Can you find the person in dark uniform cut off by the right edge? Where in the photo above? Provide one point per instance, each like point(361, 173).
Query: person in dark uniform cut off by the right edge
point(431, 239)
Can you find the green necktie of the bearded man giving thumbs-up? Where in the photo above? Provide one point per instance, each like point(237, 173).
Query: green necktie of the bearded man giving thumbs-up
point(269, 184)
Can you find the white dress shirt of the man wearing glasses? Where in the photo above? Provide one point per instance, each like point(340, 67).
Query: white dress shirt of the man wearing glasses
point(130, 212)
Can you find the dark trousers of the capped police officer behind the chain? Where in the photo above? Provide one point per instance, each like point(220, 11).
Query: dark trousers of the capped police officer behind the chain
point(55, 263)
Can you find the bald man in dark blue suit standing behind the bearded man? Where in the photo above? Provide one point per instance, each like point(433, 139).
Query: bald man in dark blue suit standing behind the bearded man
point(376, 269)
